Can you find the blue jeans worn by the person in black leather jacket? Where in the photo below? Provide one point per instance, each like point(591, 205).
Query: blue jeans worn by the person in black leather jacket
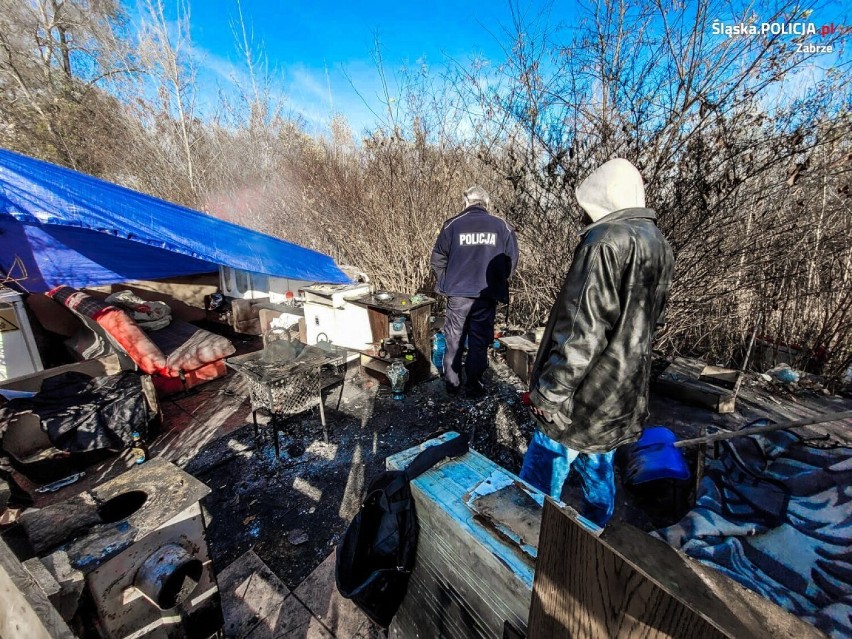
point(548, 463)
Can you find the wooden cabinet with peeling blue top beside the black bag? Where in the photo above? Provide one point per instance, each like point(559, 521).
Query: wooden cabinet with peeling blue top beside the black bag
point(468, 581)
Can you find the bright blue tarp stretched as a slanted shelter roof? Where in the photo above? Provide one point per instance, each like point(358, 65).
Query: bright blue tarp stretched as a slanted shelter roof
point(70, 228)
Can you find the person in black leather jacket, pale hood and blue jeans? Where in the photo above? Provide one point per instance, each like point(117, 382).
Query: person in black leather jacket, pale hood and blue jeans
point(589, 382)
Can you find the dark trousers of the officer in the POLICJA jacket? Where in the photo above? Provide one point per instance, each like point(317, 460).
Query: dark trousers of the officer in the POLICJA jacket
point(471, 318)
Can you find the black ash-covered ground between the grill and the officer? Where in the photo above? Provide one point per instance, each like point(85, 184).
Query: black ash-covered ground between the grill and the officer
point(293, 510)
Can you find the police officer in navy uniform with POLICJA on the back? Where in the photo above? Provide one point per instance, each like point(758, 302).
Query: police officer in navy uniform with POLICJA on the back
point(474, 256)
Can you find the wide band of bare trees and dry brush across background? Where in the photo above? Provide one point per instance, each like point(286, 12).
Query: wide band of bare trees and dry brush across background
point(746, 163)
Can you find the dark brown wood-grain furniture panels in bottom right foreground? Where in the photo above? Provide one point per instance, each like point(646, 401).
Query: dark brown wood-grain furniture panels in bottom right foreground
point(626, 584)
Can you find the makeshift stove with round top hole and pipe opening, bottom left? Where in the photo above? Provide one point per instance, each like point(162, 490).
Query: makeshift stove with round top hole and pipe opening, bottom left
point(133, 554)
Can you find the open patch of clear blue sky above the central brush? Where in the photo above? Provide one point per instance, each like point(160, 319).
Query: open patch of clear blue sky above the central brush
point(320, 54)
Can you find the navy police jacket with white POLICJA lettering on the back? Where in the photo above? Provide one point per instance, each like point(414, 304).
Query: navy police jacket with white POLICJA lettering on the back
point(475, 255)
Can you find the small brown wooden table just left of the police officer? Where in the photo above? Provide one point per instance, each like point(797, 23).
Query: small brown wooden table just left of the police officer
point(380, 313)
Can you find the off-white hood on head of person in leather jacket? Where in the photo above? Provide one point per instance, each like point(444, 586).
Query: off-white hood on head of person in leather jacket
point(613, 186)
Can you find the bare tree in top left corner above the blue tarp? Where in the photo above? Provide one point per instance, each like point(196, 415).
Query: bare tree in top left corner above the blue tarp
point(55, 56)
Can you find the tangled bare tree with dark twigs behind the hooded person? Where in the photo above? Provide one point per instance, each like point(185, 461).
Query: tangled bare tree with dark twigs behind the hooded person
point(694, 110)
